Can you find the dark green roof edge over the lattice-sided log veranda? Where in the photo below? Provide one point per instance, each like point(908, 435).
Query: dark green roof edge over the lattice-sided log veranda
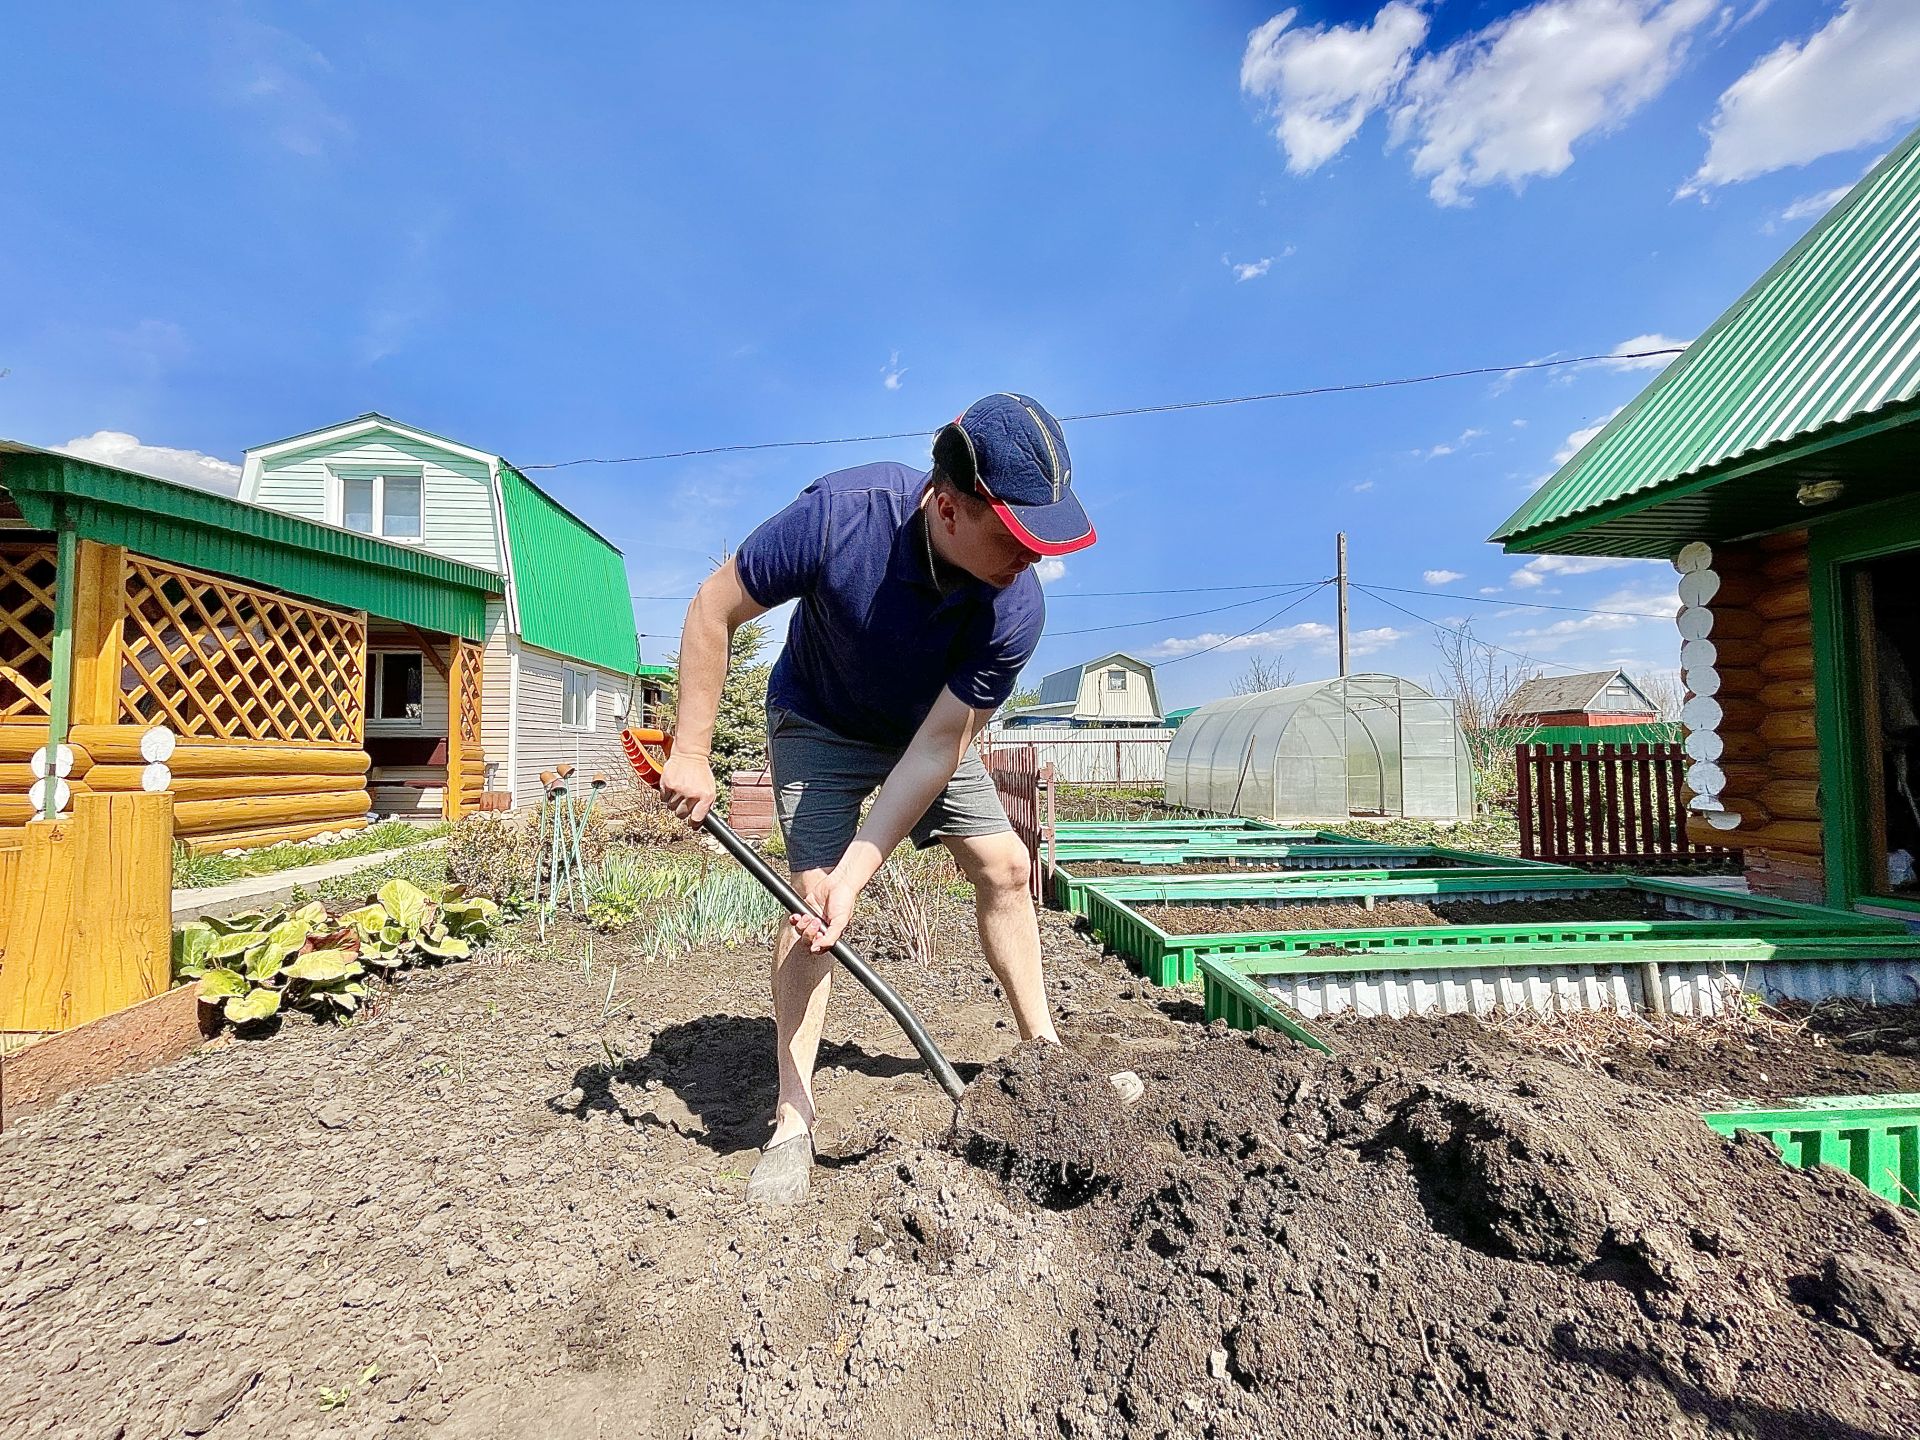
point(249, 542)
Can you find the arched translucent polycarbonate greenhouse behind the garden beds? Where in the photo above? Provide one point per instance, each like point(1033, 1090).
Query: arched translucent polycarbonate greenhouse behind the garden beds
point(1356, 746)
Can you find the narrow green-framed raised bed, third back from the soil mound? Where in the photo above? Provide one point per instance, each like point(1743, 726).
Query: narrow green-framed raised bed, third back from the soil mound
point(1078, 867)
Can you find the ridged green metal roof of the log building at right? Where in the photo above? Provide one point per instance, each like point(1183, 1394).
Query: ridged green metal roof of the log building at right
point(1823, 347)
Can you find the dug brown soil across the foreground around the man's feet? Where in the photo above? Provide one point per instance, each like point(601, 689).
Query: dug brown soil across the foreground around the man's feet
point(506, 1207)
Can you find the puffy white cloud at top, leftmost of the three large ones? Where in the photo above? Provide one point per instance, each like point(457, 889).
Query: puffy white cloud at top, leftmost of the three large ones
point(1320, 84)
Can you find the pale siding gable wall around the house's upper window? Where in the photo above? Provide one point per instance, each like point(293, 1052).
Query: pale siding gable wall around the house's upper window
point(456, 492)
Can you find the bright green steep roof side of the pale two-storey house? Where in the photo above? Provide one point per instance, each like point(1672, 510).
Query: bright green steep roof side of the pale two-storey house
point(569, 585)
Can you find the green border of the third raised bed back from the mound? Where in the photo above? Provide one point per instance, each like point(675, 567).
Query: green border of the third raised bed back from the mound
point(1070, 890)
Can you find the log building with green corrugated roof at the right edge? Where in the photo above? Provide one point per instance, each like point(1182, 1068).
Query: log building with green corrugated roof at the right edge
point(1777, 464)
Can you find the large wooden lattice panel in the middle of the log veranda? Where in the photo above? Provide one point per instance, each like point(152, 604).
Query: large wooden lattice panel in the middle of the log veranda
point(224, 661)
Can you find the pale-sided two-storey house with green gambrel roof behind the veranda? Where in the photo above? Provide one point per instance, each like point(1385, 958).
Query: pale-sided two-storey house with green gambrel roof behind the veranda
point(560, 654)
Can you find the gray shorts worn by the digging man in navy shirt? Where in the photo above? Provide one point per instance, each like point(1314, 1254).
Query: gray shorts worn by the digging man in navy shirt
point(821, 782)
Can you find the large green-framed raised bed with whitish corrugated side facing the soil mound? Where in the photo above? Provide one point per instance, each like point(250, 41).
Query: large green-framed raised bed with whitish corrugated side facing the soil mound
point(1614, 923)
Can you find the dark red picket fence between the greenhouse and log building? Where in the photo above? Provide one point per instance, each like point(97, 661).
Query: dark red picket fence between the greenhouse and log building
point(1606, 805)
